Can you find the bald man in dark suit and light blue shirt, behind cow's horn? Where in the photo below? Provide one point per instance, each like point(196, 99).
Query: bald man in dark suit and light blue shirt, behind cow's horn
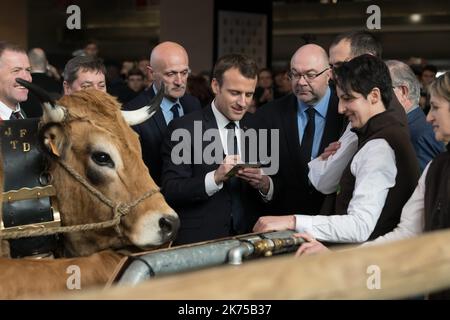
point(169, 64)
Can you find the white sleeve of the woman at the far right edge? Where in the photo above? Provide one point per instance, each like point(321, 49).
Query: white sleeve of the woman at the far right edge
point(412, 220)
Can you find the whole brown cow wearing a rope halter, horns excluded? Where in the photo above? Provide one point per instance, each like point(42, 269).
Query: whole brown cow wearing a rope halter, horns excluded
point(87, 133)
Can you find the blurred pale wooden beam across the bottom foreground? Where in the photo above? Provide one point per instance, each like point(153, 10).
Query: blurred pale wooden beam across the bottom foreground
point(407, 268)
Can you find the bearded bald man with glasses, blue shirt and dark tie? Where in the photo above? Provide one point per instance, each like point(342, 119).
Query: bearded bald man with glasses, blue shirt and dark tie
point(307, 121)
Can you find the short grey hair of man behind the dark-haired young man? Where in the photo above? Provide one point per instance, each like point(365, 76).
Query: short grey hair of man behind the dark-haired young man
point(402, 75)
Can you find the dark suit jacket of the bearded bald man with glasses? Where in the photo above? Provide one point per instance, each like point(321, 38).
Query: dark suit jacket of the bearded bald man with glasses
point(293, 192)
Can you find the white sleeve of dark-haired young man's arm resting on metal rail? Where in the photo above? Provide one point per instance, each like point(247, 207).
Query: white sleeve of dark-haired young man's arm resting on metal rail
point(374, 170)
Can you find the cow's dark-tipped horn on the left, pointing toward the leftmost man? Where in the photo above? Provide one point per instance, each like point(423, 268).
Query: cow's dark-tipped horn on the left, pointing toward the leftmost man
point(51, 111)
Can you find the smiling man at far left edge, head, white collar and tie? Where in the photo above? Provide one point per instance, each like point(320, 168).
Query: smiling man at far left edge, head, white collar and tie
point(14, 64)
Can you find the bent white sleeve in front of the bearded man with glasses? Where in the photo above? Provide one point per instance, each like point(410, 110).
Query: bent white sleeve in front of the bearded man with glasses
point(326, 174)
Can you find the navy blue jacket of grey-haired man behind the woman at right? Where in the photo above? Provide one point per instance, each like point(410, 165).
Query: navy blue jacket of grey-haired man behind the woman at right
point(422, 138)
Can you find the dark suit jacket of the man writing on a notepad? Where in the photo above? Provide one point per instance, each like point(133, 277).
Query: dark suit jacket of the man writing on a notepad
point(202, 217)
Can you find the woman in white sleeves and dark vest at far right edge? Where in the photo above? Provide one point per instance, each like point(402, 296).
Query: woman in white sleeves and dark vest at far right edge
point(428, 209)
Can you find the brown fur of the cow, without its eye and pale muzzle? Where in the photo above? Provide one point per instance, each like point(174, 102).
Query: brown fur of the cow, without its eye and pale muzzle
point(92, 114)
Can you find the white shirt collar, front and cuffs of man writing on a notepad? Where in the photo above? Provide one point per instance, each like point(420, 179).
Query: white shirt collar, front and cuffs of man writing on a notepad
point(210, 184)
